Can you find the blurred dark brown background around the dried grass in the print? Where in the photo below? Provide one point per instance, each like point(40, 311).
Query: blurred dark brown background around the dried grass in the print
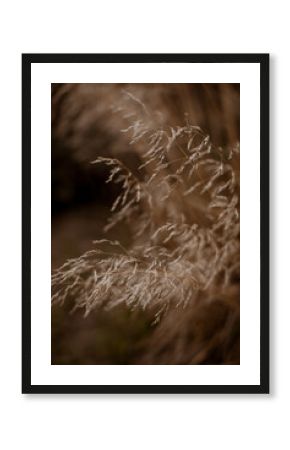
point(87, 120)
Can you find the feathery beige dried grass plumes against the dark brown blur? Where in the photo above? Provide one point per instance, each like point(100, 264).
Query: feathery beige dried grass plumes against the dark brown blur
point(182, 209)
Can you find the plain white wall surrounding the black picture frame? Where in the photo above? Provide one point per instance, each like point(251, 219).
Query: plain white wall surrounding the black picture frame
point(129, 422)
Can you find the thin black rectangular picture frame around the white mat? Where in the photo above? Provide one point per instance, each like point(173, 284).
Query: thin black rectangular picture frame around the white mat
point(263, 61)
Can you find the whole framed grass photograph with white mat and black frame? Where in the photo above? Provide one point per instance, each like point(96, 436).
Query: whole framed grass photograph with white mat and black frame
point(145, 223)
